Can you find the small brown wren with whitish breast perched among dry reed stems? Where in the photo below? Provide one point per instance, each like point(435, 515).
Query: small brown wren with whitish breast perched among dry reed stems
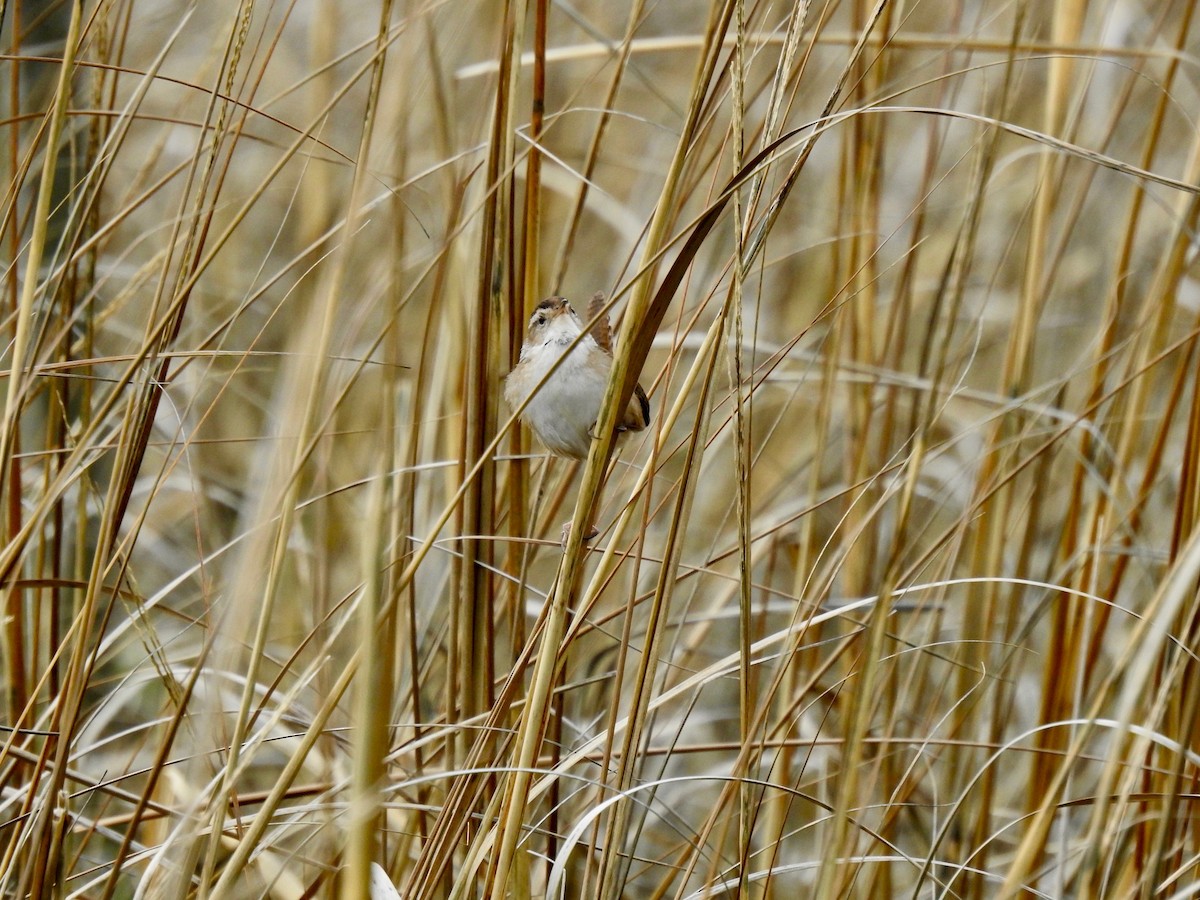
point(563, 415)
